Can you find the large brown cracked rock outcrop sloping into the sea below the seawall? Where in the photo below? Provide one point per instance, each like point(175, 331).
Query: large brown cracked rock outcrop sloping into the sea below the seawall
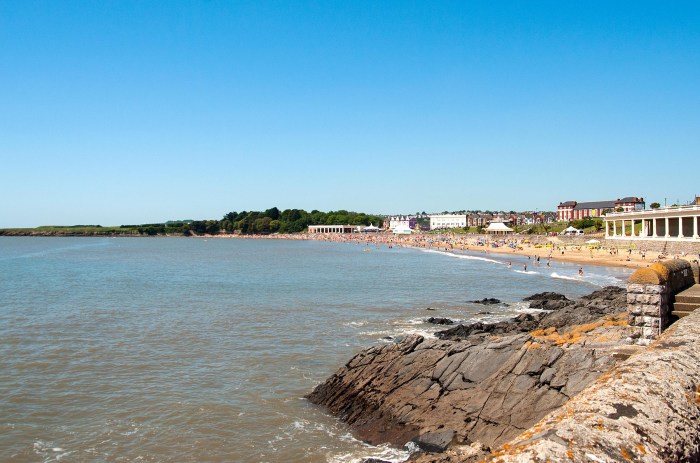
point(484, 384)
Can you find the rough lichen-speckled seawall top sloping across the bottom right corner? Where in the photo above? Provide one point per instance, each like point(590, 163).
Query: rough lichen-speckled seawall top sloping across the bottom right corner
point(646, 409)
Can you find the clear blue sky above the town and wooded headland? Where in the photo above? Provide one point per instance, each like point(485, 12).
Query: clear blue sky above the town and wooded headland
point(117, 112)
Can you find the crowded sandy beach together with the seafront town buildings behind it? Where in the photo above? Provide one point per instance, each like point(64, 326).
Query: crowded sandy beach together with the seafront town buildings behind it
point(620, 232)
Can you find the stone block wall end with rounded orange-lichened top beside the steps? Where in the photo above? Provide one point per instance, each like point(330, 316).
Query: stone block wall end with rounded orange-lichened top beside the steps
point(650, 294)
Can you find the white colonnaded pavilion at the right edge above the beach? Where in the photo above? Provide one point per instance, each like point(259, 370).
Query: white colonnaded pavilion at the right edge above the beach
point(673, 223)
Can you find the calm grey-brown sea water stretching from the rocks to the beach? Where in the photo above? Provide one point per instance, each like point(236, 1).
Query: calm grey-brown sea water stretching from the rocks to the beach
point(194, 350)
